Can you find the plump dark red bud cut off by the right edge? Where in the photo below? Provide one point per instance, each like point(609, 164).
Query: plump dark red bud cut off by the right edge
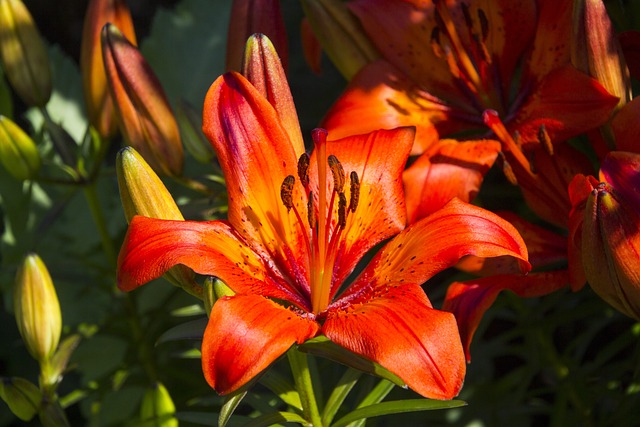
point(611, 248)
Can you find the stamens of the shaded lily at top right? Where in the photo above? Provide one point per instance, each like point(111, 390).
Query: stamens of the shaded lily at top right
point(472, 67)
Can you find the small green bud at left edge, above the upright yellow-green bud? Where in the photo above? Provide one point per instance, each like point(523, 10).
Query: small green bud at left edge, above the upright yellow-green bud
point(18, 153)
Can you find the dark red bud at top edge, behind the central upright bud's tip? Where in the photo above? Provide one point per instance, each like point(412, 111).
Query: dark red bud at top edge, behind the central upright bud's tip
point(254, 16)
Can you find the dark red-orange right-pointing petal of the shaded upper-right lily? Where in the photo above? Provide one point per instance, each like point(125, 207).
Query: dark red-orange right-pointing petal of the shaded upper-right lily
point(567, 102)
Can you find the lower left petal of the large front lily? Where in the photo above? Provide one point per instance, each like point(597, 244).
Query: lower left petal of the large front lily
point(245, 334)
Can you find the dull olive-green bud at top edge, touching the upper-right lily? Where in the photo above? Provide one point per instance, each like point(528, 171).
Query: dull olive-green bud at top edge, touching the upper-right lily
point(340, 35)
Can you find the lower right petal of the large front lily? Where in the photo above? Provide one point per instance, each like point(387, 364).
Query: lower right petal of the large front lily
point(397, 328)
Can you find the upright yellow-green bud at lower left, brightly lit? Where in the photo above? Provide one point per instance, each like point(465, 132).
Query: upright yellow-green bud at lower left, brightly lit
point(37, 309)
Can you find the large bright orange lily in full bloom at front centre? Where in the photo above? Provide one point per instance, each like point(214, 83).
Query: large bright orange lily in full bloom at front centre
point(296, 229)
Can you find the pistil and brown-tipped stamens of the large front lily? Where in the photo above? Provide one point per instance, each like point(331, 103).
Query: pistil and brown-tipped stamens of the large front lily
point(326, 217)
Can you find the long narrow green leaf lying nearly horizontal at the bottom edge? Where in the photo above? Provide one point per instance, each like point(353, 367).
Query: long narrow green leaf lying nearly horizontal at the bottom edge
point(397, 407)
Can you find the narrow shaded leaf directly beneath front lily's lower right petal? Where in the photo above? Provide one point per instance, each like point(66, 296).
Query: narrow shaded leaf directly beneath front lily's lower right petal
point(322, 346)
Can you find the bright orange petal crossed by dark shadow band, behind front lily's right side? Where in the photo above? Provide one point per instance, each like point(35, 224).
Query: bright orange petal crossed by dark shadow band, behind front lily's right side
point(449, 169)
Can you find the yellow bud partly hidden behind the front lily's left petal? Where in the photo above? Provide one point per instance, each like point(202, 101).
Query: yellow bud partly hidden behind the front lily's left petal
point(143, 193)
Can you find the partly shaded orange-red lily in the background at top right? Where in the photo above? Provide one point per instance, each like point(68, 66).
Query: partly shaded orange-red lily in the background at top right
point(447, 61)
